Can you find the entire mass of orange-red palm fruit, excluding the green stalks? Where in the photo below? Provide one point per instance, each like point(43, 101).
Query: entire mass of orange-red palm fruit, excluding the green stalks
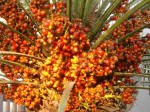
point(66, 50)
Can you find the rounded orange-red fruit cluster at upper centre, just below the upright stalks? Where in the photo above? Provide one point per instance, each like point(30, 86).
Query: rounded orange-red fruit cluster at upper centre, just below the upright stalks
point(64, 37)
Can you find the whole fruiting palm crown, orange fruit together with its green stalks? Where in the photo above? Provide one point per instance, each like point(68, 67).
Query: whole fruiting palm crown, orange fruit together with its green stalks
point(46, 44)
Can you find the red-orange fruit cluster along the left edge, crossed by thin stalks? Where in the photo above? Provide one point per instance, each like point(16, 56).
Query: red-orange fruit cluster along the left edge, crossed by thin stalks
point(12, 41)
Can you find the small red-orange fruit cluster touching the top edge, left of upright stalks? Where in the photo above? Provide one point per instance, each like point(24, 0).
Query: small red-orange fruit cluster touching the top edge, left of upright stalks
point(42, 9)
